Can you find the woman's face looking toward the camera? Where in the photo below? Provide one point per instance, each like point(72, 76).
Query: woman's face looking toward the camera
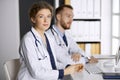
point(42, 19)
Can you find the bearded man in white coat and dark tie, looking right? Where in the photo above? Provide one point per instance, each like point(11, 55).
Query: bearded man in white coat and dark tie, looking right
point(67, 50)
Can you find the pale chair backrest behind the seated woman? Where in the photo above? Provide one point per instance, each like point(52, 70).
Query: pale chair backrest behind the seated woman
point(11, 69)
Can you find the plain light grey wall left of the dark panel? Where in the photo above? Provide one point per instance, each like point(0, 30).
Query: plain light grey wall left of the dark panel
point(9, 32)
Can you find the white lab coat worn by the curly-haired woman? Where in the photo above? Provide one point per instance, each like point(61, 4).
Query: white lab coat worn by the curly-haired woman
point(32, 68)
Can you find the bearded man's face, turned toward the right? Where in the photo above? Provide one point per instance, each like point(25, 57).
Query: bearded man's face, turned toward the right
point(66, 18)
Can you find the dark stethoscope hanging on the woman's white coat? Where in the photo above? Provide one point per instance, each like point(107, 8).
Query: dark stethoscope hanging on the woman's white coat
point(36, 40)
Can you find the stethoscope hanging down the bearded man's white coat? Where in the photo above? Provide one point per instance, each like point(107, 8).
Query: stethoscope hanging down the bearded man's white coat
point(57, 38)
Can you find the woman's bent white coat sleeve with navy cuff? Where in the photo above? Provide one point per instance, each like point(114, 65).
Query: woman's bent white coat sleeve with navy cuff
point(38, 69)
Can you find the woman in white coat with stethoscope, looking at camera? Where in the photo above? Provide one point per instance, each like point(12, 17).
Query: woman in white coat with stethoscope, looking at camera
point(37, 55)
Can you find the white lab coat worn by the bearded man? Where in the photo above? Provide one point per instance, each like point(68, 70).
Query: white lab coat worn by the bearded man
point(63, 53)
